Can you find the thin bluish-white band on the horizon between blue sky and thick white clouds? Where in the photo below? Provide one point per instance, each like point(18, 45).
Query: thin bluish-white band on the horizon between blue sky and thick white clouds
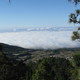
point(41, 29)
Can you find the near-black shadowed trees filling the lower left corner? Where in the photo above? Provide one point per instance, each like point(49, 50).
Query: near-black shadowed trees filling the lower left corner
point(11, 71)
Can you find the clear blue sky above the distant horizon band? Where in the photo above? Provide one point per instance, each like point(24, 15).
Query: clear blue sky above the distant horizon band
point(35, 13)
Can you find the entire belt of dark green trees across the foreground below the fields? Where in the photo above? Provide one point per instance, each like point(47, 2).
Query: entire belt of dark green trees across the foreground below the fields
point(46, 69)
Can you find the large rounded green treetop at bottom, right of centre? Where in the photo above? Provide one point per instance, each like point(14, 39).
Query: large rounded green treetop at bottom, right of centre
point(54, 69)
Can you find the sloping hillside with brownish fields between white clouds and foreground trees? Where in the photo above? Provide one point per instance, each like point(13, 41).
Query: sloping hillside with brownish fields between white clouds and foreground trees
point(18, 53)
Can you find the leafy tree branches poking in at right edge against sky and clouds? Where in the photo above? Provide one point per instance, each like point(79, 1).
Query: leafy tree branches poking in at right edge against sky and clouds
point(75, 18)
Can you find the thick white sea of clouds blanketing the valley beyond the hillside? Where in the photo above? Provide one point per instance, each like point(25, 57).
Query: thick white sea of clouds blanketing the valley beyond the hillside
point(40, 39)
